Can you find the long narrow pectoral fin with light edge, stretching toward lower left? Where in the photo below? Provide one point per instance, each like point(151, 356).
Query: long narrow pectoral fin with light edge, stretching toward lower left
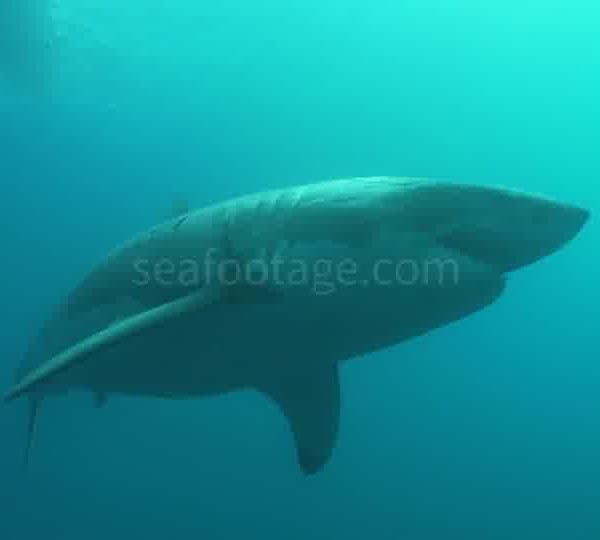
point(124, 330)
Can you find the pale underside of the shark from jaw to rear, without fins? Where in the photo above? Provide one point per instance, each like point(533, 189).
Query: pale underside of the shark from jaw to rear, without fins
point(329, 313)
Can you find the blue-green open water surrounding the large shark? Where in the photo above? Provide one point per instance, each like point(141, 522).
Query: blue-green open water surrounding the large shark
point(486, 429)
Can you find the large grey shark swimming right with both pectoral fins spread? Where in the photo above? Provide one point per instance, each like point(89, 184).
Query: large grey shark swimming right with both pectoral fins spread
point(283, 333)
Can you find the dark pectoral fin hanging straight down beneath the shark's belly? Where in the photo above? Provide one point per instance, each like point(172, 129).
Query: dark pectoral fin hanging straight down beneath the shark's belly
point(310, 400)
